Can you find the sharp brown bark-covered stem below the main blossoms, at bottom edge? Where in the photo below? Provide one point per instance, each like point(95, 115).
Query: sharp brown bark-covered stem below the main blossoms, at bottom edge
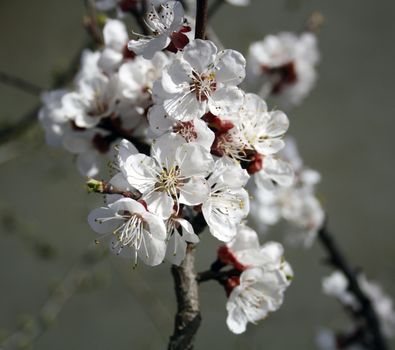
point(187, 319)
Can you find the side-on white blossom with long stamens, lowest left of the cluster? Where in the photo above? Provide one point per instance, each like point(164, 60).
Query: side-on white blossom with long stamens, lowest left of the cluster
point(135, 232)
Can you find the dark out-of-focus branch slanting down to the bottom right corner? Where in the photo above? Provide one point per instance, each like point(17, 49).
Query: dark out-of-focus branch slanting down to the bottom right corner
point(367, 312)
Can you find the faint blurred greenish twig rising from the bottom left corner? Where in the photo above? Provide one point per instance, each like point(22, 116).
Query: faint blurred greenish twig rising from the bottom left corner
point(80, 274)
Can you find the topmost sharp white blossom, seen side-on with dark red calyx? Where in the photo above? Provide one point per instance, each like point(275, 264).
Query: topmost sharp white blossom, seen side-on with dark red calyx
point(168, 28)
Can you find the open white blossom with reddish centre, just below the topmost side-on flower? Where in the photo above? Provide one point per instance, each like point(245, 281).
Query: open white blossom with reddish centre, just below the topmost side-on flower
point(201, 79)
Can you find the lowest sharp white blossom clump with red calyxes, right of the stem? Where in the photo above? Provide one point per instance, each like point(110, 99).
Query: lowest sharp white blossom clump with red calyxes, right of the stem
point(263, 277)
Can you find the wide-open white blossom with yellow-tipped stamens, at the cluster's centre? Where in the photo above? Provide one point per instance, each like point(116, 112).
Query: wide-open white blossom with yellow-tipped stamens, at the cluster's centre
point(173, 175)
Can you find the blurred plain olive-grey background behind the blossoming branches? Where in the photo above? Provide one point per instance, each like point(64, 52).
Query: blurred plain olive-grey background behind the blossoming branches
point(344, 130)
